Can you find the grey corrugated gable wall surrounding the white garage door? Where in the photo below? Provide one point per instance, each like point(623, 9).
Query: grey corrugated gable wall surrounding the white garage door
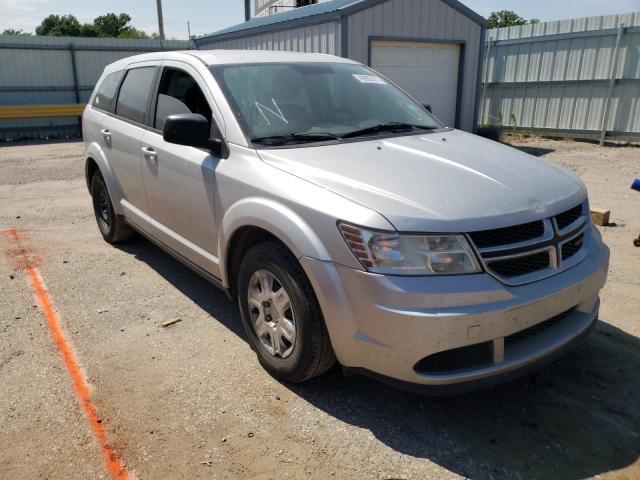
point(420, 20)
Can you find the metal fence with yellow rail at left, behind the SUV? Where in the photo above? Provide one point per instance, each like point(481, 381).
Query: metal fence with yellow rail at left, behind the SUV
point(54, 72)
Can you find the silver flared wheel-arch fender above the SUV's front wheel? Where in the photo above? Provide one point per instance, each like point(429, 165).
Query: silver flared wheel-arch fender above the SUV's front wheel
point(275, 218)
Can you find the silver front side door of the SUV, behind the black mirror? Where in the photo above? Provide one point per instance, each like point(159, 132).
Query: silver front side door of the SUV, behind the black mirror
point(180, 181)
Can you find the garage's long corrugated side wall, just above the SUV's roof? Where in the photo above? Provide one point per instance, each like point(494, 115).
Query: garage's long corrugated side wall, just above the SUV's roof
point(318, 38)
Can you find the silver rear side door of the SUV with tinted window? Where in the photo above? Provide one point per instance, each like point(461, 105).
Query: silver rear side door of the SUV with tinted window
point(122, 133)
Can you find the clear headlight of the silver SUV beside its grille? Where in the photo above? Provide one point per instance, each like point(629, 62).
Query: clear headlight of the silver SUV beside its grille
point(392, 253)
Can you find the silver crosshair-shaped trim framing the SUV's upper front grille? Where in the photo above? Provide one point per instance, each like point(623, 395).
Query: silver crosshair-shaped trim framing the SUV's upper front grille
point(551, 241)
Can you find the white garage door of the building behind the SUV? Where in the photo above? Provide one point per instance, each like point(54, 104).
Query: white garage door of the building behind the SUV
point(427, 71)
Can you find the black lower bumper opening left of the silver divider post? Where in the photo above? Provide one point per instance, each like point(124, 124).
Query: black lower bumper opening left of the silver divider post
point(461, 358)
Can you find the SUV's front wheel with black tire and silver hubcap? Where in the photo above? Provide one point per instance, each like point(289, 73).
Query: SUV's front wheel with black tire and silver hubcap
point(291, 354)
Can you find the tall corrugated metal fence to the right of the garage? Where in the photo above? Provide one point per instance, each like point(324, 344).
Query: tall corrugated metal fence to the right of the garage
point(555, 77)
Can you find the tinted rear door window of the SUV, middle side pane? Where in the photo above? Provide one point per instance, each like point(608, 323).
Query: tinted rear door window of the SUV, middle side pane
point(134, 93)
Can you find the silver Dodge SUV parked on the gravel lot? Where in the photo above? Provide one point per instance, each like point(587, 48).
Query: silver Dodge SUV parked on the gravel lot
point(346, 220)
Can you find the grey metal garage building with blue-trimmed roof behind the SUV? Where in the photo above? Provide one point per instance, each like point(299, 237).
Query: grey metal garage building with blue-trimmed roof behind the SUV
point(430, 48)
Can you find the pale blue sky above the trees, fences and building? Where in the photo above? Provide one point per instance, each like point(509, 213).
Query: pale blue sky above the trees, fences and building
point(206, 16)
